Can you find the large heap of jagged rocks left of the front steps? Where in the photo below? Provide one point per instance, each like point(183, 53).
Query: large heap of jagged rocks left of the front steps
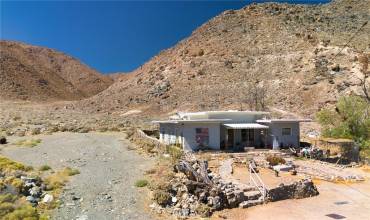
point(195, 190)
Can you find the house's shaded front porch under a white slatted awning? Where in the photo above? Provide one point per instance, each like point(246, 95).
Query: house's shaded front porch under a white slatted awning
point(236, 137)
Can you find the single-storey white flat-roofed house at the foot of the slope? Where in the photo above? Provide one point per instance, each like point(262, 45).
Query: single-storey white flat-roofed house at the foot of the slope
point(229, 130)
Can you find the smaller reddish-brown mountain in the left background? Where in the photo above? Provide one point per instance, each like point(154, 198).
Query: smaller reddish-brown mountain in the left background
point(40, 74)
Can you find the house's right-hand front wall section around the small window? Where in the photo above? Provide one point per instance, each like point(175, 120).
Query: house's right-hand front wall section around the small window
point(275, 130)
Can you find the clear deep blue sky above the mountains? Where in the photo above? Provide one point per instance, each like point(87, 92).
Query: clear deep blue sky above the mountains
point(115, 36)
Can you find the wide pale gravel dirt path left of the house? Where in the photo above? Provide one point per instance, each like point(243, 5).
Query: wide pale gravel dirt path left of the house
point(105, 188)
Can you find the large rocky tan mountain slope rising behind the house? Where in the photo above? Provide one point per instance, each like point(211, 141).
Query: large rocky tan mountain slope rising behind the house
point(290, 50)
